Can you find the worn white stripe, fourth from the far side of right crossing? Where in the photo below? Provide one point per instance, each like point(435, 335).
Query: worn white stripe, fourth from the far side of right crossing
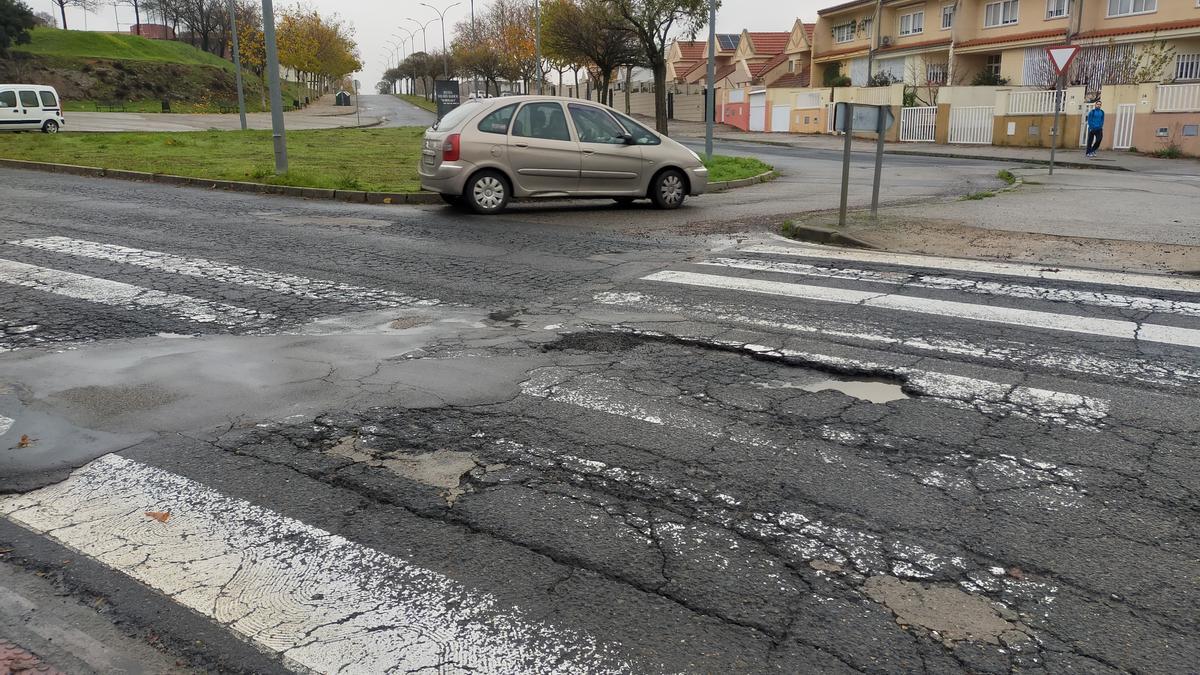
point(1001, 351)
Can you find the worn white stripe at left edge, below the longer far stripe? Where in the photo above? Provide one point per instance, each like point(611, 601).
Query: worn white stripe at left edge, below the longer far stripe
point(127, 296)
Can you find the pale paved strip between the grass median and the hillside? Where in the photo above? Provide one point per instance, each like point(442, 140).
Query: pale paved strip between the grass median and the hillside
point(322, 115)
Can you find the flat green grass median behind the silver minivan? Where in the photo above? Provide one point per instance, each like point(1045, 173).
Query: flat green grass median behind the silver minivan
point(382, 160)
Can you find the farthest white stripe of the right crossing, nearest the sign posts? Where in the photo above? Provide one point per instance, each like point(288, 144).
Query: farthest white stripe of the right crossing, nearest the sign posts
point(1100, 278)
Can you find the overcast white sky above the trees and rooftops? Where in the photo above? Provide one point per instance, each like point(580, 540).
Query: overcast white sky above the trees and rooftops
point(376, 21)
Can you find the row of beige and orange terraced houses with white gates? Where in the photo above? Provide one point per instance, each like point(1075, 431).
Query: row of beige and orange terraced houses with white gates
point(967, 71)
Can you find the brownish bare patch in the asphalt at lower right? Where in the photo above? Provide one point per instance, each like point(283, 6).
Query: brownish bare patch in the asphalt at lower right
point(949, 612)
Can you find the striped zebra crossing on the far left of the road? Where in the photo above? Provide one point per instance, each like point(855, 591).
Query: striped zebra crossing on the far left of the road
point(285, 300)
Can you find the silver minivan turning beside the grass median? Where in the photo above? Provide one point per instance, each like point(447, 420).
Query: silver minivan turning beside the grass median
point(488, 152)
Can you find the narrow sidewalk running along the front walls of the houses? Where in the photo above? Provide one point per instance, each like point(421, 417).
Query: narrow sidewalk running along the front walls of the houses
point(1108, 160)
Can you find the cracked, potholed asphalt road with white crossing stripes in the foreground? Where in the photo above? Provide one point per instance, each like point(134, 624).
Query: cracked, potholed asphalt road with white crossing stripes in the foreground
point(463, 444)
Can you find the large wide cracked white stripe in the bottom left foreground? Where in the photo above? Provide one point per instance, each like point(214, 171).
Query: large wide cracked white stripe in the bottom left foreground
point(322, 602)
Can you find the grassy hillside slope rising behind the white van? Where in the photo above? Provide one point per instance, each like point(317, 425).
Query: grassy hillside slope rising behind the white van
point(89, 68)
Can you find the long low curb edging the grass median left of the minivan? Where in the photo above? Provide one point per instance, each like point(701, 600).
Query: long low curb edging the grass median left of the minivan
point(355, 196)
